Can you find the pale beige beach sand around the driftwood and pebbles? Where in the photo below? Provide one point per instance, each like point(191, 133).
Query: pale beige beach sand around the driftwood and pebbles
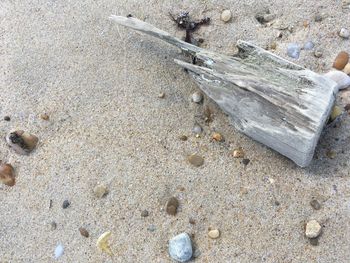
point(99, 83)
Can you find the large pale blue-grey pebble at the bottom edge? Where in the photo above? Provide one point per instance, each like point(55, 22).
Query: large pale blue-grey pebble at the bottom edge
point(180, 247)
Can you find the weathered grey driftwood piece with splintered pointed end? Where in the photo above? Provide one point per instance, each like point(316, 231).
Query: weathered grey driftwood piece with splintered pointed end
point(274, 101)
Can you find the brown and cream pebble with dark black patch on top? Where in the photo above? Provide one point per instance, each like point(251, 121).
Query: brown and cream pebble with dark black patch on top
point(21, 142)
